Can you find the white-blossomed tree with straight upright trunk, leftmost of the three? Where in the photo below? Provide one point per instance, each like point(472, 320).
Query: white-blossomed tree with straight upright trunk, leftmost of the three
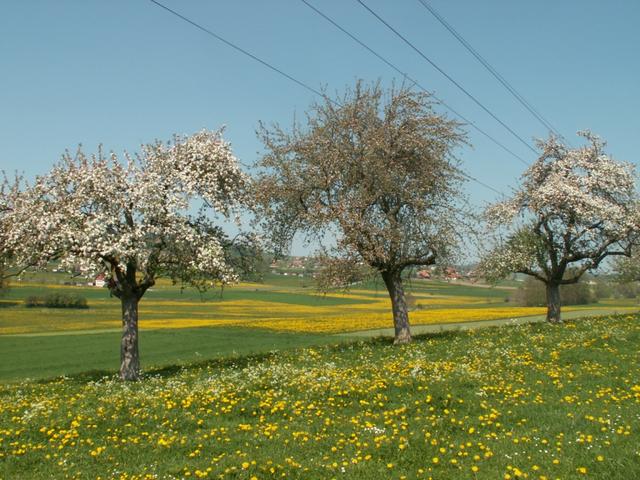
point(130, 220)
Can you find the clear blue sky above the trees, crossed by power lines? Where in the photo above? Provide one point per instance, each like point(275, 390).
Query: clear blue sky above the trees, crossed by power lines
point(126, 72)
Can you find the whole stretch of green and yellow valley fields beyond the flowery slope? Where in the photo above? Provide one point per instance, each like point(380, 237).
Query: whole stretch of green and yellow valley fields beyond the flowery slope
point(179, 327)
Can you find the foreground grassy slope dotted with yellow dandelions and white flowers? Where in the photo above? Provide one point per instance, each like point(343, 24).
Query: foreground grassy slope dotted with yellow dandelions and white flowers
point(534, 401)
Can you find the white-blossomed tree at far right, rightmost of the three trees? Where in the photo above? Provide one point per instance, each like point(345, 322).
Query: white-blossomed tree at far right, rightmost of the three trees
point(575, 208)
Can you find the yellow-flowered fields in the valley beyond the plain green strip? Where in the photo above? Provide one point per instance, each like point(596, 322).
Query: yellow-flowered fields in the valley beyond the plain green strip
point(258, 306)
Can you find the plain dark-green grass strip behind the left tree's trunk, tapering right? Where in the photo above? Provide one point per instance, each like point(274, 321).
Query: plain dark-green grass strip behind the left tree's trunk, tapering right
point(97, 354)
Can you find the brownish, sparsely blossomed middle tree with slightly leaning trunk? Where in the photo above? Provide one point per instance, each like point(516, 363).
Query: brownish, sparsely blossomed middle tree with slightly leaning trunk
point(377, 172)
